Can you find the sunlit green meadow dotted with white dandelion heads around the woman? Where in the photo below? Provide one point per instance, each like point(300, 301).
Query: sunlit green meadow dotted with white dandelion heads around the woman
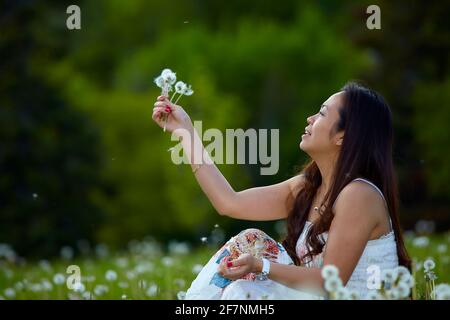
point(149, 270)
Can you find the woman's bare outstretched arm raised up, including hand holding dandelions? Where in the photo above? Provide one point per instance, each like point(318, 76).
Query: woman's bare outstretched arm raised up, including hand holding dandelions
point(271, 202)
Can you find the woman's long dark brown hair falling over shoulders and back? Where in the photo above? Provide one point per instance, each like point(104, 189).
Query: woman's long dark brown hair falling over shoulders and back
point(366, 152)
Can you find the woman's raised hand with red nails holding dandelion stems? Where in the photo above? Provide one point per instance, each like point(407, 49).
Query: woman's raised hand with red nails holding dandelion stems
point(177, 118)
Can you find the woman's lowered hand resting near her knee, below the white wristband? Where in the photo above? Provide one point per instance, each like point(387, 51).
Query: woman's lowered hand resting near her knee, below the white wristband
point(238, 268)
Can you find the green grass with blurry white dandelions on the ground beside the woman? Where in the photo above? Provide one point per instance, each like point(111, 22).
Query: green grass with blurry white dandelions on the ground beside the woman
point(147, 272)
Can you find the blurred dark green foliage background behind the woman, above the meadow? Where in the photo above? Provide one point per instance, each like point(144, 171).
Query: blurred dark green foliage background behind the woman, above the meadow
point(82, 163)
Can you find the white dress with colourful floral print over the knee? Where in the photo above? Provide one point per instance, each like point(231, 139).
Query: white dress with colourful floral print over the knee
point(381, 252)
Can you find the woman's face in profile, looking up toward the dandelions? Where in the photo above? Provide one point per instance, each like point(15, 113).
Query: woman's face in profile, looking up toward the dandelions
point(321, 139)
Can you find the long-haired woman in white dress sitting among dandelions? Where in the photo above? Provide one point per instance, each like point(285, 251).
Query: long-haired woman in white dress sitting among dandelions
point(341, 209)
